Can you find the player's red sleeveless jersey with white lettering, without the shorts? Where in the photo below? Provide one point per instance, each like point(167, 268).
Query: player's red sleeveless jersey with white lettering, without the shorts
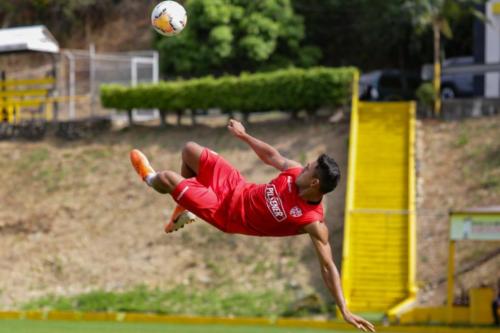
point(273, 209)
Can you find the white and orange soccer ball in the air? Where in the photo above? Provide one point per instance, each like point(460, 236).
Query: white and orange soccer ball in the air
point(168, 18)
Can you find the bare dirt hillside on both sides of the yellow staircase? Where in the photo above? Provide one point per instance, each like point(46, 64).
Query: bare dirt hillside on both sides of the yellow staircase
point(74, 216)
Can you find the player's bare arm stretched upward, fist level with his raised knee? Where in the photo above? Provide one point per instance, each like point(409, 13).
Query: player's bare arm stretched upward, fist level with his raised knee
point(267, 153)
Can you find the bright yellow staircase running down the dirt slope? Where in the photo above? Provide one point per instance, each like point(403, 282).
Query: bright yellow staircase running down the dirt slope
point(378, 268)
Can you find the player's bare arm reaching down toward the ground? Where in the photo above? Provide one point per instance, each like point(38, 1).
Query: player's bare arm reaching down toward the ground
point(319, 236)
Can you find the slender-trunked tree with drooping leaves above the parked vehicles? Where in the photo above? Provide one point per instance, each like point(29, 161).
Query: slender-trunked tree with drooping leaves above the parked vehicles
point(436, 14)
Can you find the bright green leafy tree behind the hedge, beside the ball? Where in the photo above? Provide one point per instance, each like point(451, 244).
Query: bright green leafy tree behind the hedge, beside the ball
point(230, 36)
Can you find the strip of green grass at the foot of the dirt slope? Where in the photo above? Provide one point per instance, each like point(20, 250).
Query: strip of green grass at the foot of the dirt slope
point(176, 301)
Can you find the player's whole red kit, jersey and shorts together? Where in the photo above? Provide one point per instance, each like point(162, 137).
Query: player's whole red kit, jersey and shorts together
point(220, 195)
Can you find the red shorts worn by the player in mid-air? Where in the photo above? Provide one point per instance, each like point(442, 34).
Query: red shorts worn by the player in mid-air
point(208, 195)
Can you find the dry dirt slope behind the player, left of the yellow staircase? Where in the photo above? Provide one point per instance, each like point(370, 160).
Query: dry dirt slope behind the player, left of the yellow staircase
point(74, 216)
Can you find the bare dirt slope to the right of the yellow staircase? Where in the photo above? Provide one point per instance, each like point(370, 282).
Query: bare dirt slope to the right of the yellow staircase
point(459, 168)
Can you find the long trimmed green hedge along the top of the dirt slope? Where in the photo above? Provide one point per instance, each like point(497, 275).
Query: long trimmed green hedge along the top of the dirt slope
point(287, 90)
